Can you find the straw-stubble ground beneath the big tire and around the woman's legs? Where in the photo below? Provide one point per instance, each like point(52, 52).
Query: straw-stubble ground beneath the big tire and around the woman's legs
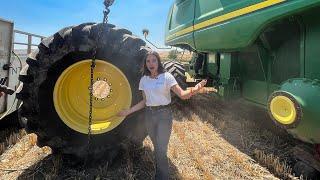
point(209, 140)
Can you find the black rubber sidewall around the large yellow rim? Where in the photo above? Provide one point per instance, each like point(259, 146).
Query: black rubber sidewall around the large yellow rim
point(122, 50)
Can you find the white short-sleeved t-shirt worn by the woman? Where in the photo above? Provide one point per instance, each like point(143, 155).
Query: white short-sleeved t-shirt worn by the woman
point(157, 90)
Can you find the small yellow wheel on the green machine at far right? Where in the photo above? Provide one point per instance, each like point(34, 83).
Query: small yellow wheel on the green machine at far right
point(283, 110)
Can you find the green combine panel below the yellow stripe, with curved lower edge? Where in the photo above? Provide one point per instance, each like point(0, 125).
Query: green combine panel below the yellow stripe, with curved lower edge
point(243, 31)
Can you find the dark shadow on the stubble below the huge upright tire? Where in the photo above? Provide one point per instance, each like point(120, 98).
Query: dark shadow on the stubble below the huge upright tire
point(129, 164)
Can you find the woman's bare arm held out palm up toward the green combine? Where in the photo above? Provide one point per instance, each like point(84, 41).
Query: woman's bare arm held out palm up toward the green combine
point(186, 94)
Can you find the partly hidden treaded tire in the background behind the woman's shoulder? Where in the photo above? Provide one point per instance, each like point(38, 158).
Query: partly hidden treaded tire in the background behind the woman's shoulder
point(178, 71)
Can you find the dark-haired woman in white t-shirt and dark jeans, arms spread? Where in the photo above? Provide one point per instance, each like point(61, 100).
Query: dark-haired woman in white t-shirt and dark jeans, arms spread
point(155, 86)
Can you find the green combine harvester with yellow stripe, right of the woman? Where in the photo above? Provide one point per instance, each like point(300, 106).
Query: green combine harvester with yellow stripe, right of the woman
point(264, 51)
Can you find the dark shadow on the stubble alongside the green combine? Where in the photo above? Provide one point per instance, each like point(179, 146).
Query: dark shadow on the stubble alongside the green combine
point(246, 127)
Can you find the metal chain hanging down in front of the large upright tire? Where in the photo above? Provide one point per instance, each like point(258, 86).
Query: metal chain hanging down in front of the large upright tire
point(107, 4)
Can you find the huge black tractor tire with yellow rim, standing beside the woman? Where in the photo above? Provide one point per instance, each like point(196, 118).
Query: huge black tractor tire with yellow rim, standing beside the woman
point(56, 83)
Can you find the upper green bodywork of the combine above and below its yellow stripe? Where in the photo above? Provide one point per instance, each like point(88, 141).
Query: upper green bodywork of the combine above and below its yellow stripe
point(235, 33)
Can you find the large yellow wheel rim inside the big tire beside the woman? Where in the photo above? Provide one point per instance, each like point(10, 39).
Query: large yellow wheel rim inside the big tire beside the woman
point(111, 93)
